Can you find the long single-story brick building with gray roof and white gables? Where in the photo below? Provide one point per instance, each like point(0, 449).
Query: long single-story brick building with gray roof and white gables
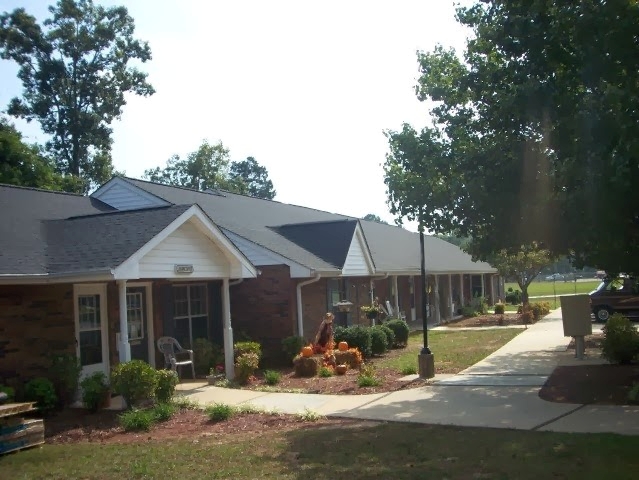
point(105, 276)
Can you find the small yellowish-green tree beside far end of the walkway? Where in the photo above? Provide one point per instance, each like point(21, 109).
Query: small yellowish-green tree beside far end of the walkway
point(523, 264)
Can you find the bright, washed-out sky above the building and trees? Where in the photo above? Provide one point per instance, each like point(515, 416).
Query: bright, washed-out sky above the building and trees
point(307, 88)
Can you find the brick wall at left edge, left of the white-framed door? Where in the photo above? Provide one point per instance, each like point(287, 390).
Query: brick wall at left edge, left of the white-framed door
point(35, 320)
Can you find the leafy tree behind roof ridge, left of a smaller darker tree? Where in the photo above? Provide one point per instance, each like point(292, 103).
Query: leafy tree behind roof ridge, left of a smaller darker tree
point(205, 168)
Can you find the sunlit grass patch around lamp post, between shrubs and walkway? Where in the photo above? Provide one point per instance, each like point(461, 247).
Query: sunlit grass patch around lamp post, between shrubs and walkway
point(454, 351)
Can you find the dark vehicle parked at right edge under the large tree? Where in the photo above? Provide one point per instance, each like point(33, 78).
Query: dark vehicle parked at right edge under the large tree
point(615, 295)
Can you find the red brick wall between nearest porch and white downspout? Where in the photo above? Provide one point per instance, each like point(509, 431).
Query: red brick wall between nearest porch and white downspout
point(264, 307)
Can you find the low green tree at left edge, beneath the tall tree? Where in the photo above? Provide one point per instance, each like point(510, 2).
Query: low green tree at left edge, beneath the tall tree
point(24, 165)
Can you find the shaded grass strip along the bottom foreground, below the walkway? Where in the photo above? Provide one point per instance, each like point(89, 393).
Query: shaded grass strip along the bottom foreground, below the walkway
point(388, 450)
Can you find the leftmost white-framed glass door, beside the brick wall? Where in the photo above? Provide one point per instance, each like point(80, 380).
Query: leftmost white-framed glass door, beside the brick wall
point(91, 328)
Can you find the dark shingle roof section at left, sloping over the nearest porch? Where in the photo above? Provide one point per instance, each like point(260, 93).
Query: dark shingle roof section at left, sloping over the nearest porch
point(44, 232)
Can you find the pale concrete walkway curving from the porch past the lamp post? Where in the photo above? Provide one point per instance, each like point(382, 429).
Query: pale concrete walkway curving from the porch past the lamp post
point(500, 391)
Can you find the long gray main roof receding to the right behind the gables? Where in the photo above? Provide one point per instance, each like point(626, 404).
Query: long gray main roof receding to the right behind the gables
point(392, 248)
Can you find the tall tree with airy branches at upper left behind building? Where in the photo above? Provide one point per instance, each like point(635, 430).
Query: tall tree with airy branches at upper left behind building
point(75, 71)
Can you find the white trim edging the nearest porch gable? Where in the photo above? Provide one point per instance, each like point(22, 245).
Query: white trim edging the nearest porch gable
point(241, 267)
